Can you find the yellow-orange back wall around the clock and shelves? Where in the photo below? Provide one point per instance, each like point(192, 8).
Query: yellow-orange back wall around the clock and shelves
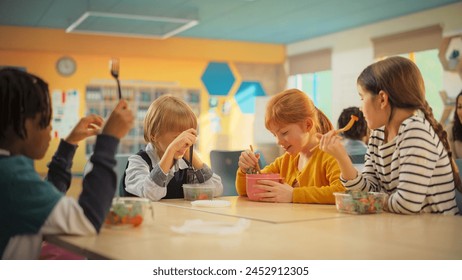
point(172, 60)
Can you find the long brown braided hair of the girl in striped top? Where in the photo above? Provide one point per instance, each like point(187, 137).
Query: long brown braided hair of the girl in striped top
point(401, 79)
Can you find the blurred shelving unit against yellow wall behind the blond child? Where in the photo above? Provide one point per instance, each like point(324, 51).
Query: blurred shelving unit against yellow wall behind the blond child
point(101, 100)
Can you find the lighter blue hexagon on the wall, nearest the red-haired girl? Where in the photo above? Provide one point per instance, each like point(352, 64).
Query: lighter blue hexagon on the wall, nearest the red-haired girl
point(245, 96)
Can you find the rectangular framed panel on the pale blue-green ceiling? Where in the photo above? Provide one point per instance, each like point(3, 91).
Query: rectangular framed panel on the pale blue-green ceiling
point(113, 24)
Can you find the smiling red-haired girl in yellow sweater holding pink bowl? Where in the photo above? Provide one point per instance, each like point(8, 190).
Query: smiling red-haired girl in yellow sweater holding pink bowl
point(309, 176)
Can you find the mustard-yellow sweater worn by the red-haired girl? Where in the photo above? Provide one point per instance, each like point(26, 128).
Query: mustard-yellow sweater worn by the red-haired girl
point(317, 182)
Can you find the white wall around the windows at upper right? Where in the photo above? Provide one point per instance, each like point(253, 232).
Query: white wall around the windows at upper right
point(352, 50)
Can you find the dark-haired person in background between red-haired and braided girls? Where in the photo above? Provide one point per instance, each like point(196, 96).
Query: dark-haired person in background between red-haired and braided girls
point(353, 139)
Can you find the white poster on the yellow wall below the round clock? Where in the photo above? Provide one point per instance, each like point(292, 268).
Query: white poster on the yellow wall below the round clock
point(66, 106)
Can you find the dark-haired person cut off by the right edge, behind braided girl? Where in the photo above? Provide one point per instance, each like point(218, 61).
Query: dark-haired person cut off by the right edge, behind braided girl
point(455, 129)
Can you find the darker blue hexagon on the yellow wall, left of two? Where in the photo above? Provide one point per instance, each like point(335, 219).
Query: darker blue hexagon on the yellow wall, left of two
point(218, 78)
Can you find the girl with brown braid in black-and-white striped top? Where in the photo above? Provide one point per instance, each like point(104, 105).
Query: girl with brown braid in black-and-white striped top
point(408, 153)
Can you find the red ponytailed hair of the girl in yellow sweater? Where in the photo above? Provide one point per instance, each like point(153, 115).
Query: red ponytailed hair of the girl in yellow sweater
point(294, 106)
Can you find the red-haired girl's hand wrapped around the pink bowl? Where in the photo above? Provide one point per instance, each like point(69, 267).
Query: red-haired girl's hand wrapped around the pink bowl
point(275, 191)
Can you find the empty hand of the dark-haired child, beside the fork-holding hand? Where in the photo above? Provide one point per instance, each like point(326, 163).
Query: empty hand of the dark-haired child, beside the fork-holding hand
point(86, 127)
